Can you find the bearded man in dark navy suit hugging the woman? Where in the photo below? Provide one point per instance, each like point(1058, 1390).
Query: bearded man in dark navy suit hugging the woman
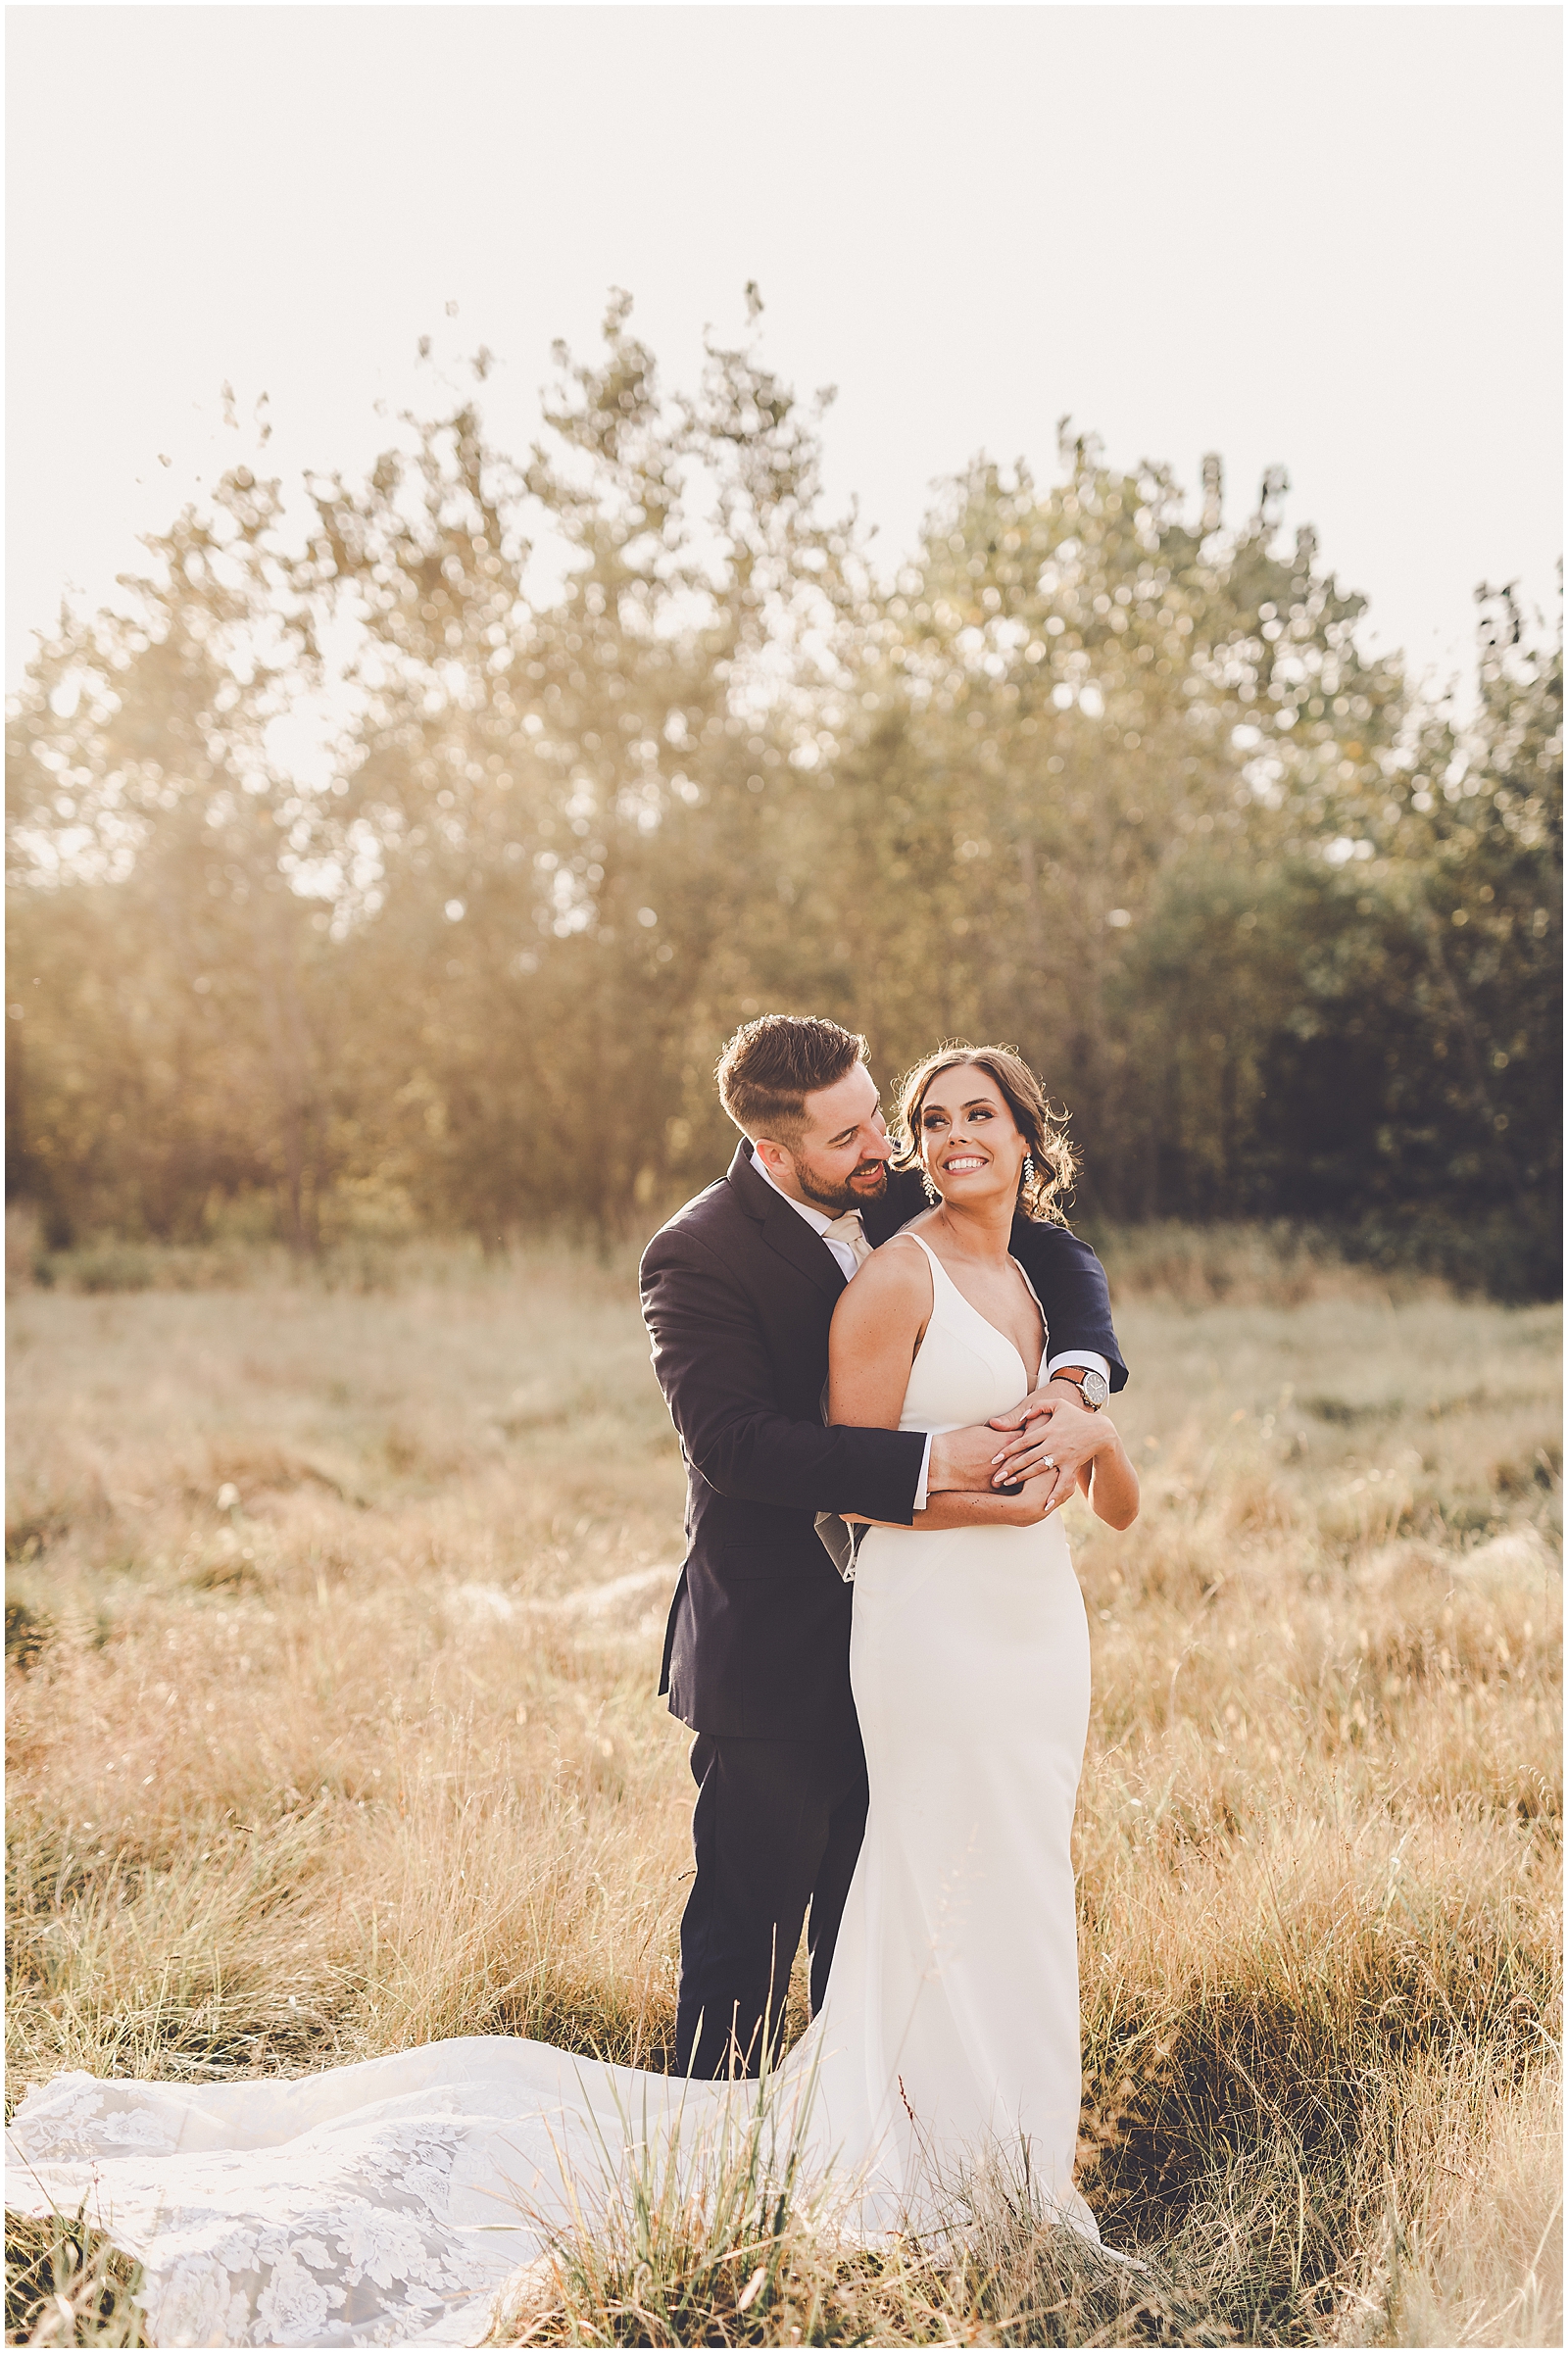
point(738, 1295)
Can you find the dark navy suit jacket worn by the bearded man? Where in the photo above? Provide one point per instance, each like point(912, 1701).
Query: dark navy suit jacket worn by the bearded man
point(738, 1295)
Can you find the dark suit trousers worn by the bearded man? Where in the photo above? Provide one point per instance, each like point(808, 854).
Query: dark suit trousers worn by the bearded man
point(778, 1827)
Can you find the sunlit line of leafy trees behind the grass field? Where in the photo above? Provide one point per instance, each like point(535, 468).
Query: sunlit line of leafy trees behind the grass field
point(406, 872)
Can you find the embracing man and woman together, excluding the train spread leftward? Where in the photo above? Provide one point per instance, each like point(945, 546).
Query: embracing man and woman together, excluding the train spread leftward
point(877, 1637)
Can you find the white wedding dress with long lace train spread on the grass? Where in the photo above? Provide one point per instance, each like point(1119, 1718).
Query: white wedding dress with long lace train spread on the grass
point(385, 2204)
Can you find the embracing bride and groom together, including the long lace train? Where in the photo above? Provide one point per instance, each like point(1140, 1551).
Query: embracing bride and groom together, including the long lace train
point(886, 1382)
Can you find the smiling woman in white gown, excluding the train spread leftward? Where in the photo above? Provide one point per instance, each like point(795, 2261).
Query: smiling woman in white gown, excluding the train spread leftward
point(957, 1968)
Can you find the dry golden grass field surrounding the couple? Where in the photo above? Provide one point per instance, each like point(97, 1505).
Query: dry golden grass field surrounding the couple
point(333, 1634)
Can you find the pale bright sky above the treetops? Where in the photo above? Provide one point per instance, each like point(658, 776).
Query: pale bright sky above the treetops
point(1322, 236)
